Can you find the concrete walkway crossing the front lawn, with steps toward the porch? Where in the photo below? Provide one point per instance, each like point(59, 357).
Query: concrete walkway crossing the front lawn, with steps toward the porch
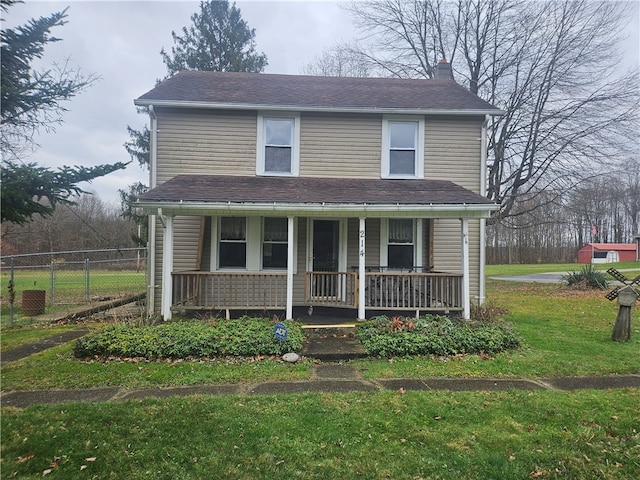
point(325, 377)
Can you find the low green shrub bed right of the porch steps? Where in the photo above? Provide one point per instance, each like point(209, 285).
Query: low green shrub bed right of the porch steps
point(434, 335)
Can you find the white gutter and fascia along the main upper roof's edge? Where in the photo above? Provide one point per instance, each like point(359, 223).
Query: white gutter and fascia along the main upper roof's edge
point(306, 108)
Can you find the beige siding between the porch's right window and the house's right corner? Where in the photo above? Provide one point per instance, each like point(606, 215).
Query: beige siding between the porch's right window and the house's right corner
point(447, 250)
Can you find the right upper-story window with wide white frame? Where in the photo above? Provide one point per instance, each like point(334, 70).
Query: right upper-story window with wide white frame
point(403, 147)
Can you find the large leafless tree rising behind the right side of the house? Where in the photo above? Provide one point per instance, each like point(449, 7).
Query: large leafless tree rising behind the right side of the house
point(552, 66)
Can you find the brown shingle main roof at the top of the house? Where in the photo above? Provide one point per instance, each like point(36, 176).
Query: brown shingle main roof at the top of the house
point(314, 92)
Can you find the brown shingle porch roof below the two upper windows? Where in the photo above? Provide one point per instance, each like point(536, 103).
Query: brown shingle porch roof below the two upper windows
point(307, 190)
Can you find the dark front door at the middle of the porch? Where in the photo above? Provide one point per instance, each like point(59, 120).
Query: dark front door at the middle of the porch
point(325, 247)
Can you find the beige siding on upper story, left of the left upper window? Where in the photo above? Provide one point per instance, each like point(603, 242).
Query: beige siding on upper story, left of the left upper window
point(205, 142)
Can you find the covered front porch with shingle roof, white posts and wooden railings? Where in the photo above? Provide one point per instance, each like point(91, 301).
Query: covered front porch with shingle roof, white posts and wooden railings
point(258, 243)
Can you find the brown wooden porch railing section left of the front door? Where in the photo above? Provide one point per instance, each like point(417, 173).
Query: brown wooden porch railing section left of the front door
point(229, 290)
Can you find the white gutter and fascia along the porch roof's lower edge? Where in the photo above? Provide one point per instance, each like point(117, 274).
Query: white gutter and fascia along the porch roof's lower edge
point(339, 210)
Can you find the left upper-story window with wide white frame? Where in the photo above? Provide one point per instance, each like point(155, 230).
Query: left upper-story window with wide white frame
point(278, 145)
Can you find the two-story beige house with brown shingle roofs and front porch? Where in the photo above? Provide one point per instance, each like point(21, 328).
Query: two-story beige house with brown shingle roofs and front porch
point(275, 192)
